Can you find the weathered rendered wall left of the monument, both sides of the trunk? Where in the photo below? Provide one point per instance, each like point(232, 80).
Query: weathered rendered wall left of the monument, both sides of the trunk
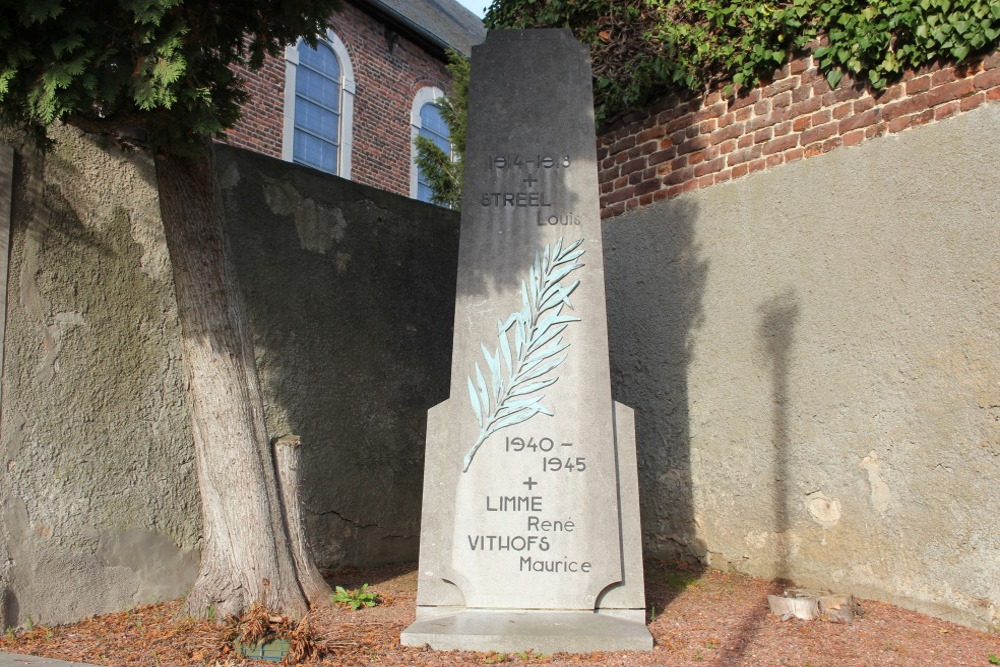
point(351, 291)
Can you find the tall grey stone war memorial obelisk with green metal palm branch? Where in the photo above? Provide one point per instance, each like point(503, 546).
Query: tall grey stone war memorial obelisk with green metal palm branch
point(530, 536)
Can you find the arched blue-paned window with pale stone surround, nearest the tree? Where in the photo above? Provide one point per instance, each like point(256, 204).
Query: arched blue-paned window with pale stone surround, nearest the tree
point(319, 102)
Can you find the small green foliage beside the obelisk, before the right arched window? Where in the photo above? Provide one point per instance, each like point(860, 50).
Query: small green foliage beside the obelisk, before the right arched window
point(443, 172)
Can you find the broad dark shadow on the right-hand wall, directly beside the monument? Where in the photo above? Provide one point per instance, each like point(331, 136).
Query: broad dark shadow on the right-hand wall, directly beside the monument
point(655, 286)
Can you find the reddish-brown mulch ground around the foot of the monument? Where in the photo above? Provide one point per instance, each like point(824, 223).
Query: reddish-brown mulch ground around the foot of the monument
point(699, 617)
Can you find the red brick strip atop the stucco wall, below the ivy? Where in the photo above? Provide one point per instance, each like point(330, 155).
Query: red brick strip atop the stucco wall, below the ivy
point(689, 143)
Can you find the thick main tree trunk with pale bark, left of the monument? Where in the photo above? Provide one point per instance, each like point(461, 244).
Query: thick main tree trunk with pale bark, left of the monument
point(246, 556)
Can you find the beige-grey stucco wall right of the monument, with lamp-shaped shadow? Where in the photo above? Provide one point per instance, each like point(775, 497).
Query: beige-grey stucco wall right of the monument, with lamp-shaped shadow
point(813, 354)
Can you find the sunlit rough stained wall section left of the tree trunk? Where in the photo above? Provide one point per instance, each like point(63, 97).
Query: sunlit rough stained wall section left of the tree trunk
point(98, 504)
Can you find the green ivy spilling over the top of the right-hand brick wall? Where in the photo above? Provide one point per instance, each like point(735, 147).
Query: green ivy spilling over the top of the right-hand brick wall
point(643, 49)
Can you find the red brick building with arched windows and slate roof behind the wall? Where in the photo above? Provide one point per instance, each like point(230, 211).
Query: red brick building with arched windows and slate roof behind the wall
point(352, 106)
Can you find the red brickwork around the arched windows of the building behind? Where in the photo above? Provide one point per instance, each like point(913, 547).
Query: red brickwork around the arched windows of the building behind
point(387, 77)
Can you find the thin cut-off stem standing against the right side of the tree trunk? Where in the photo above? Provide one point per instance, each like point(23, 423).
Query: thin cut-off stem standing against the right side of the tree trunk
point(287, 455)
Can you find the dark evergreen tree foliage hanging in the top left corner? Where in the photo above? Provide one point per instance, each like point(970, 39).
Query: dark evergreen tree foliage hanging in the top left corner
point(161, 67)
